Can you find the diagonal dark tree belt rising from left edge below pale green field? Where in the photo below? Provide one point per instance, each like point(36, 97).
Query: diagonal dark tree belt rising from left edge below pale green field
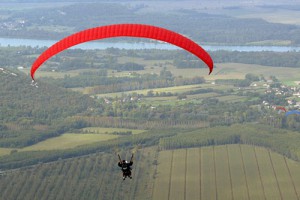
point(22, 159)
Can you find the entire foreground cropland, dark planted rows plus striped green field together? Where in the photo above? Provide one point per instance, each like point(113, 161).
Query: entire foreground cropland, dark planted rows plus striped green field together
point(215, 172)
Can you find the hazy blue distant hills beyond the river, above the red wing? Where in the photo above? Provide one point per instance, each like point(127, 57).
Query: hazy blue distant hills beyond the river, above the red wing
point(58, 22)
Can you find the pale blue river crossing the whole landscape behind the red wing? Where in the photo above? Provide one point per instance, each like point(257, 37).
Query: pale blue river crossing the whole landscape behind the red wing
point(4, 42)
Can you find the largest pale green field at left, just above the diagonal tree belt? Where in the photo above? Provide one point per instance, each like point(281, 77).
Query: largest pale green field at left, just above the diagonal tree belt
point(67, 141)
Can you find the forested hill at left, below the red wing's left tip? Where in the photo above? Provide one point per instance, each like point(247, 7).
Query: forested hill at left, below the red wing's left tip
point(32, 112)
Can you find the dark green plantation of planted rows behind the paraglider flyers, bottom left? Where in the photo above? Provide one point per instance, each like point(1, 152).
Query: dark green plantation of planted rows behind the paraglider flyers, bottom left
point(95, 176)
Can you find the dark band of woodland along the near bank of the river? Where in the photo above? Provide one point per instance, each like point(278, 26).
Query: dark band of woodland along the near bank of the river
point(108, 59)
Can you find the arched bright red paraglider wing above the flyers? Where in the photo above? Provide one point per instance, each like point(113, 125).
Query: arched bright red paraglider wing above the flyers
point(128, 30)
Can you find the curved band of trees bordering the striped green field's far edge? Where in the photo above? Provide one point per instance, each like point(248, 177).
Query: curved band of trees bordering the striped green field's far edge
point(254, 134)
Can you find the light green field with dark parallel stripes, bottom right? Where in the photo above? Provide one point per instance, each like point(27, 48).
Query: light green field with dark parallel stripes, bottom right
point(226, 172)
